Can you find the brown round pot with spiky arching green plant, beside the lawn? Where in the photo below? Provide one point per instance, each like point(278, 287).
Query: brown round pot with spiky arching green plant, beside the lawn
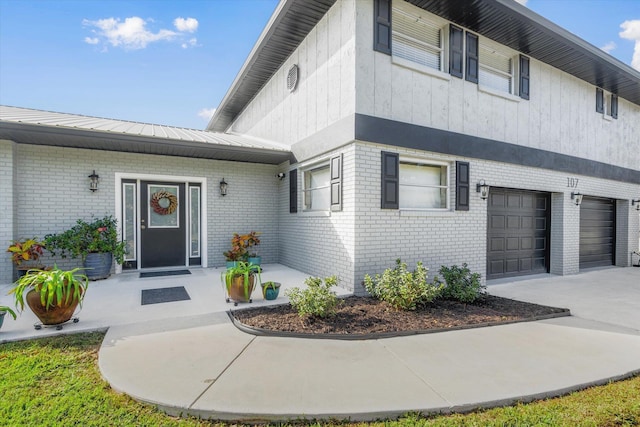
point(52, 295)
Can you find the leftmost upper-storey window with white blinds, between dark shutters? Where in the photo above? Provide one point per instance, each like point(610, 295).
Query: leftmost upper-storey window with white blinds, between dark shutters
point(416, 38)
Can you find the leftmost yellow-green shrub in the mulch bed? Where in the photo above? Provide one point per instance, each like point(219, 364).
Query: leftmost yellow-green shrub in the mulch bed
point(317, 299)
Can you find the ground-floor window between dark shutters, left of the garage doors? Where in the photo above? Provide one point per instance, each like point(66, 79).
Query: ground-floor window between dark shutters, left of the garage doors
point(423, 185)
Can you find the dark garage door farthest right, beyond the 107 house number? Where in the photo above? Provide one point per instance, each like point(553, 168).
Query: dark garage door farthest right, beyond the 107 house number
point(597, 232)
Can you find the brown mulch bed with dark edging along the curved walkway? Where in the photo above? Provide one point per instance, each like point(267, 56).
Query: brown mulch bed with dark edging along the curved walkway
point(366, 316)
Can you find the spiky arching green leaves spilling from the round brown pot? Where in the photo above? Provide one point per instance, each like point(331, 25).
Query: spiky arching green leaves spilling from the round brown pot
point(55, 286)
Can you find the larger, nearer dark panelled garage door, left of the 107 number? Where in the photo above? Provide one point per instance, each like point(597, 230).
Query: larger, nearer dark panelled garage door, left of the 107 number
point(517, 233)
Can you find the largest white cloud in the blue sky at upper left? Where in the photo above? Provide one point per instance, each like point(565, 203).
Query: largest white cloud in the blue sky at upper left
point(130, 34)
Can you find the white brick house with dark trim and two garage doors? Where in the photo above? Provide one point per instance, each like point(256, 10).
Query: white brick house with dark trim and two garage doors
point(358, 132)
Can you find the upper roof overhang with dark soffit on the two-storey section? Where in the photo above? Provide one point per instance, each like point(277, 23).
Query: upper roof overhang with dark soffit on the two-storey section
point(504, 21)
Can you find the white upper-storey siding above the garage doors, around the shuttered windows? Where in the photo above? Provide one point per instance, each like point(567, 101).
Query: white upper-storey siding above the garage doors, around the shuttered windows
point(559, 117)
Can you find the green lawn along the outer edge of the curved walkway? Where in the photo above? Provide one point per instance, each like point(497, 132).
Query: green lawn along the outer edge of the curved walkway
point(55, 381)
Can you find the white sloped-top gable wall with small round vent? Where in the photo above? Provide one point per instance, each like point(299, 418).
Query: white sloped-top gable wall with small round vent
point(326, 84)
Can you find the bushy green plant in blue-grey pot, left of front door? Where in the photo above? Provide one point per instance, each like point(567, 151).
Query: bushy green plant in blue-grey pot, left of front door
point(96, 242)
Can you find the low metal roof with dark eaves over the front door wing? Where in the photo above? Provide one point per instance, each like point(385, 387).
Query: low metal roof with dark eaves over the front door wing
point(38, 127)
